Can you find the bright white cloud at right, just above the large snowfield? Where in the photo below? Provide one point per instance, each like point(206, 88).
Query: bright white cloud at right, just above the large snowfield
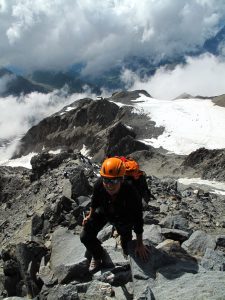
point(203, 75)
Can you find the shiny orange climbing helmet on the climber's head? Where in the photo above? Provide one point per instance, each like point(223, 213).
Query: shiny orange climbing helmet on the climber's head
point(113, 167)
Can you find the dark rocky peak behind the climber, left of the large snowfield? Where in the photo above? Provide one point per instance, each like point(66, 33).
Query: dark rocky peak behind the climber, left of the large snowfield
point(98, 124)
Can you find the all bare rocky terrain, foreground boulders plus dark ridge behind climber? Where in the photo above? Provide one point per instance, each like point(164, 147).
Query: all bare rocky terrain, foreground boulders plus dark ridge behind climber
point(41, 256)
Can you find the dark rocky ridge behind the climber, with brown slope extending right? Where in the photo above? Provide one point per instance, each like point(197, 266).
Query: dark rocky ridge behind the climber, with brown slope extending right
point(104, 128)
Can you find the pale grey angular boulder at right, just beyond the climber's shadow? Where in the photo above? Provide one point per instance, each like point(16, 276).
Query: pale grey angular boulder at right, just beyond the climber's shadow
point(198, 242)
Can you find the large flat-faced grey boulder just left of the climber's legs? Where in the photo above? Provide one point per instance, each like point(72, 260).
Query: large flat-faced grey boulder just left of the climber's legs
point(67, 263)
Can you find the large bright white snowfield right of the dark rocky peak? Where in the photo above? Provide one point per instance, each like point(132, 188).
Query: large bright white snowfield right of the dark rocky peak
point(189, 123)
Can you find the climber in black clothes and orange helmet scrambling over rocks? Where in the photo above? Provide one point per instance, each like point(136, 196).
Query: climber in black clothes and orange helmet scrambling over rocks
point(116, 201)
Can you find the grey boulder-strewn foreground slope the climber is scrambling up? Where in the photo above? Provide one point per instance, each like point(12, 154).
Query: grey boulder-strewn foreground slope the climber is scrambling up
point(42, 257)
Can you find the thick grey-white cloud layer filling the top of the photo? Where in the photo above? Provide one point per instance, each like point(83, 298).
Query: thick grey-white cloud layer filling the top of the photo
point(55, 34)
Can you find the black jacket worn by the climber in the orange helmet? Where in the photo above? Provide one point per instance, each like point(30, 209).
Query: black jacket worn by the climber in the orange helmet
point(125, 209)
